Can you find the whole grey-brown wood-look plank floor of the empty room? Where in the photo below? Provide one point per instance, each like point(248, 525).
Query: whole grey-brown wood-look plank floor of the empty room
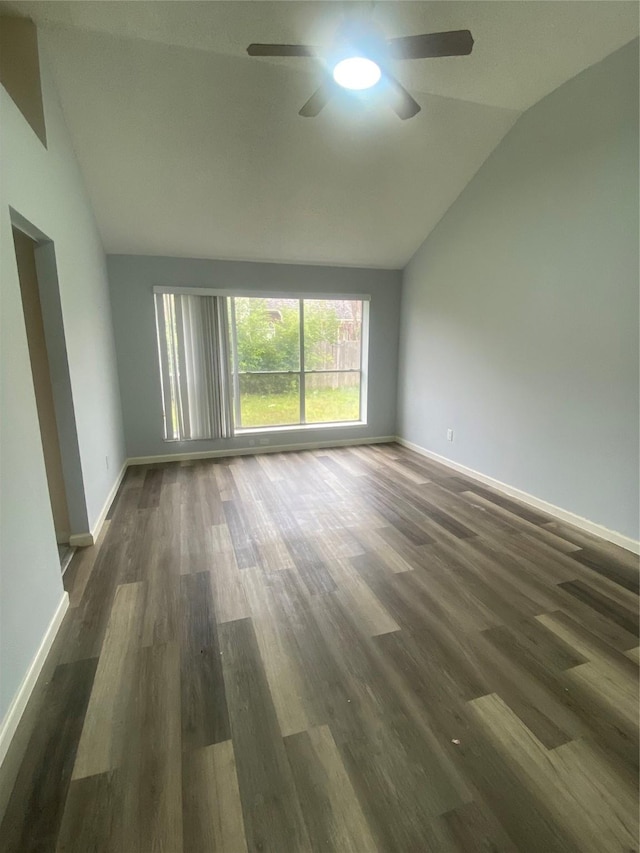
point(345, 650)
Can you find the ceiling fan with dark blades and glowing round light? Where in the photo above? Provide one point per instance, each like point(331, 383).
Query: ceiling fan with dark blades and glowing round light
point(359, 60)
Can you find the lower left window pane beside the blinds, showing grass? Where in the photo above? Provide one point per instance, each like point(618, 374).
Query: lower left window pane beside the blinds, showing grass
point(269, 399)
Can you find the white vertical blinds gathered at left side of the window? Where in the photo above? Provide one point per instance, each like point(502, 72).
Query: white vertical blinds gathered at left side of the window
point(193, 344)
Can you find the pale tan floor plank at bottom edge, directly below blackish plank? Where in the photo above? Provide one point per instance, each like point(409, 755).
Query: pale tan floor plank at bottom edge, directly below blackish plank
point(211, 801)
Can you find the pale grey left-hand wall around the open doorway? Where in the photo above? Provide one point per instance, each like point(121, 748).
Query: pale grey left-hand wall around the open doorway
point(45, 187)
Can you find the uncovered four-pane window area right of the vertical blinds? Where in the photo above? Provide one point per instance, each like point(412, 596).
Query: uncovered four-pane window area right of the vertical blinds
point(297, 361)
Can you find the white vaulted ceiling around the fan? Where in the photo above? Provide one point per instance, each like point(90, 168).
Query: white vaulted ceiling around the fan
point(189, 147)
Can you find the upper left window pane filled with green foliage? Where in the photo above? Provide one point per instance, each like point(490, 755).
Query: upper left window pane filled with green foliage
point(268, 334)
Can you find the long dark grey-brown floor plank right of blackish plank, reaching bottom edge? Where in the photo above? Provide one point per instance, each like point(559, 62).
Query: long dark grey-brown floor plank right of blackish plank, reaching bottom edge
point(272, 817)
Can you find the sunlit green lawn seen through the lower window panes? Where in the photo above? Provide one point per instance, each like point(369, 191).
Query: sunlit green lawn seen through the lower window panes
point(324, 405)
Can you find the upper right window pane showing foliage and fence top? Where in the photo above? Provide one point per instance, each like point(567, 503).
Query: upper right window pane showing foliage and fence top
point(332, 334)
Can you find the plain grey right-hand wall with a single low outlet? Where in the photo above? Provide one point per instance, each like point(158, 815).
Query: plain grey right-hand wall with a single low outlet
point(519, 324)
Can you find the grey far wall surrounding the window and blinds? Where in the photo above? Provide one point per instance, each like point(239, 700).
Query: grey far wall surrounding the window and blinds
point(132, 278)
